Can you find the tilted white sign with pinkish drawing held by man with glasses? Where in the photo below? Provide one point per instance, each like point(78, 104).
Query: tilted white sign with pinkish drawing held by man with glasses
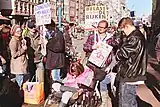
point(100, 55)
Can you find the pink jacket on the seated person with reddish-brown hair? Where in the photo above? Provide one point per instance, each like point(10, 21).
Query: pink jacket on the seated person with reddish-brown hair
point(84, 78)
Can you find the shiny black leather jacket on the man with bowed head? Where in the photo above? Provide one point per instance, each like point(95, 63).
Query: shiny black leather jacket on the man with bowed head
point(132, 58)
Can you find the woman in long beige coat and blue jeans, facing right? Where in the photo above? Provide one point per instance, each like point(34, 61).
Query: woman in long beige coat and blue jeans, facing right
point(19, 60)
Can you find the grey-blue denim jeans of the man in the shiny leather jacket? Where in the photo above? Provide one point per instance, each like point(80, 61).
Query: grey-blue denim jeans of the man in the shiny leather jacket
point(127, 95)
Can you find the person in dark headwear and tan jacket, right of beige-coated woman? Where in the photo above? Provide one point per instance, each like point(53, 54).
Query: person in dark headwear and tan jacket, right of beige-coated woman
point(32, 36)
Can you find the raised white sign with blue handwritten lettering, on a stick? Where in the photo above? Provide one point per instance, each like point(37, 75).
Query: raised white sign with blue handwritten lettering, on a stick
point(43, 14)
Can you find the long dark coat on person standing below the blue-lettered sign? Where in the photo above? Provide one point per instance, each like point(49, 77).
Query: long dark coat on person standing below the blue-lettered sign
point(55, 51)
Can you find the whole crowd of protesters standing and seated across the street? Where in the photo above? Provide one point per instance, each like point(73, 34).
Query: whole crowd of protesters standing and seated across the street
point(30, 50)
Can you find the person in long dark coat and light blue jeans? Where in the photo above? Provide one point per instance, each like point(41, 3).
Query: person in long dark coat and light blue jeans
point(55, 58)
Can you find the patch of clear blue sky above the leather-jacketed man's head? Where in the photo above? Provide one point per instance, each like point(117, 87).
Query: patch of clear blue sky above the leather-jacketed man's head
point(141, 7)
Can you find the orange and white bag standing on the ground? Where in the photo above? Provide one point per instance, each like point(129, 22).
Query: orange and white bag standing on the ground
point(33, 92)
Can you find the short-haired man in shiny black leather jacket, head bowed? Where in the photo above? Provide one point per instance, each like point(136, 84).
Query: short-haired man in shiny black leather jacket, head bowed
point(132, 63)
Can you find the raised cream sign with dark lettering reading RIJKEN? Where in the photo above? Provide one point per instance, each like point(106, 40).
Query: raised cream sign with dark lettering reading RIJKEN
point(94, 14)
